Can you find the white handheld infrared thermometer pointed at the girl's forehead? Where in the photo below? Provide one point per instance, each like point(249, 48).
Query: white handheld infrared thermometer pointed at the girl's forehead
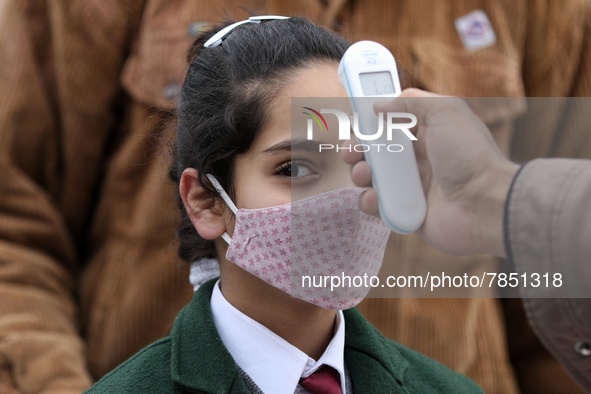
point(369, 74)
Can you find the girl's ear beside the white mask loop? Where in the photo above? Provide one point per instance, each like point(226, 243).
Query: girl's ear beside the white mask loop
point(200, 206)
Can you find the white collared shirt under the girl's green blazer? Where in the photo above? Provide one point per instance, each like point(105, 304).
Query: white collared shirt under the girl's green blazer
point(272, 363)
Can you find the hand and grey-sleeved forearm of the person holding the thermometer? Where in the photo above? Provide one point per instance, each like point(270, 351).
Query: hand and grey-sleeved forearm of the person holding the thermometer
point(536, 215)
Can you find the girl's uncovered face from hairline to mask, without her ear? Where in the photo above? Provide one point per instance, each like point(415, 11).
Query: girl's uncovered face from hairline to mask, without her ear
point(282, 165)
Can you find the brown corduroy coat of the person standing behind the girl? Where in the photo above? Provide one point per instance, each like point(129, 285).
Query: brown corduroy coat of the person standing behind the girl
point(88, 266)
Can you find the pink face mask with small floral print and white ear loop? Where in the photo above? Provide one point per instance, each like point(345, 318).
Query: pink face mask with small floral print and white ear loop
point(318, 249)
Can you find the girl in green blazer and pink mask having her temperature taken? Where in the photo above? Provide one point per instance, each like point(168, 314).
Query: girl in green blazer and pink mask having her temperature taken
point(270, 208)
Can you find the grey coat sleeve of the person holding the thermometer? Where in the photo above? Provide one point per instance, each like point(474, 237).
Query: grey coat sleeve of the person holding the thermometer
point(548, 230)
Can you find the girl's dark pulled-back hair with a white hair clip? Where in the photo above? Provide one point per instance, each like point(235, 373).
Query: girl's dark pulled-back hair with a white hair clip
point(224, 100)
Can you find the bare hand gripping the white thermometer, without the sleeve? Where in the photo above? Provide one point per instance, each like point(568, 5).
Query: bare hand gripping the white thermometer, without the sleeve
point(465, 175)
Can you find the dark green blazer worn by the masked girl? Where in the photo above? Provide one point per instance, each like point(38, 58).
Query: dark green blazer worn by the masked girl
point(193, 359)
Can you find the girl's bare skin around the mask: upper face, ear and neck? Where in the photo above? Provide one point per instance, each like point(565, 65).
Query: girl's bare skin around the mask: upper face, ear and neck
point(281, 166)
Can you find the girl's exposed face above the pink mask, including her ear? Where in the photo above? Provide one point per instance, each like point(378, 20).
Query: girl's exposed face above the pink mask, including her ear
point(281, 166)
